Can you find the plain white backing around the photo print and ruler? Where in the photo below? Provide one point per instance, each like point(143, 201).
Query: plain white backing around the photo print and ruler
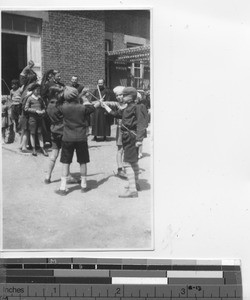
point(201, 75)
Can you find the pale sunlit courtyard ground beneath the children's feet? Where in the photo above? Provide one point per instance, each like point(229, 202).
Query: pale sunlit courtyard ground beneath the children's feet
point(34, 217)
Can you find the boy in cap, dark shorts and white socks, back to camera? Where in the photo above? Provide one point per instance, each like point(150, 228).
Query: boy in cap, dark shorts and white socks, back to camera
point(74, 137)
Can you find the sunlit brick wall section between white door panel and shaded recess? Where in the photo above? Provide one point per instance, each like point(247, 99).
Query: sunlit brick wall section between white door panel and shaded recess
point(73, 42)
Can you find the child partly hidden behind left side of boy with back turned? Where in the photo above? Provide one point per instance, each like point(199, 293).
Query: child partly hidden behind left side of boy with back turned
point(56, 118)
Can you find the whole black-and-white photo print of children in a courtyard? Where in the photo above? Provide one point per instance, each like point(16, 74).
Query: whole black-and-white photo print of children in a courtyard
point(77, 161)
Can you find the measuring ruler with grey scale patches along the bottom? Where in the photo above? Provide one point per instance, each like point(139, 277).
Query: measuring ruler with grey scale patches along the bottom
point(118, 279)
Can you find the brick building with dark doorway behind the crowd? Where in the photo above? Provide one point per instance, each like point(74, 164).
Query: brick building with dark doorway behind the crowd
point(76, 43)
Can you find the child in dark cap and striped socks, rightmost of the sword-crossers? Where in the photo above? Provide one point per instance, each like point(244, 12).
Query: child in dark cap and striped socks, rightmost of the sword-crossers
point(133, 124)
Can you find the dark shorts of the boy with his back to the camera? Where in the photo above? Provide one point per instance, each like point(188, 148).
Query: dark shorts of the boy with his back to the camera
point(82, 152)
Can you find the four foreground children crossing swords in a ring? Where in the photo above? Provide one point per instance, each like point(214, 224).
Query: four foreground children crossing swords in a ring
point(69, 110)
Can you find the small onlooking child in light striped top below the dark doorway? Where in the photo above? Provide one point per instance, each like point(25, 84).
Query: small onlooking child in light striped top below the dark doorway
point(16, 106)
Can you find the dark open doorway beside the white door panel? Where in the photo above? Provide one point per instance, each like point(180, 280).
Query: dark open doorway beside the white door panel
point(14, 58)
